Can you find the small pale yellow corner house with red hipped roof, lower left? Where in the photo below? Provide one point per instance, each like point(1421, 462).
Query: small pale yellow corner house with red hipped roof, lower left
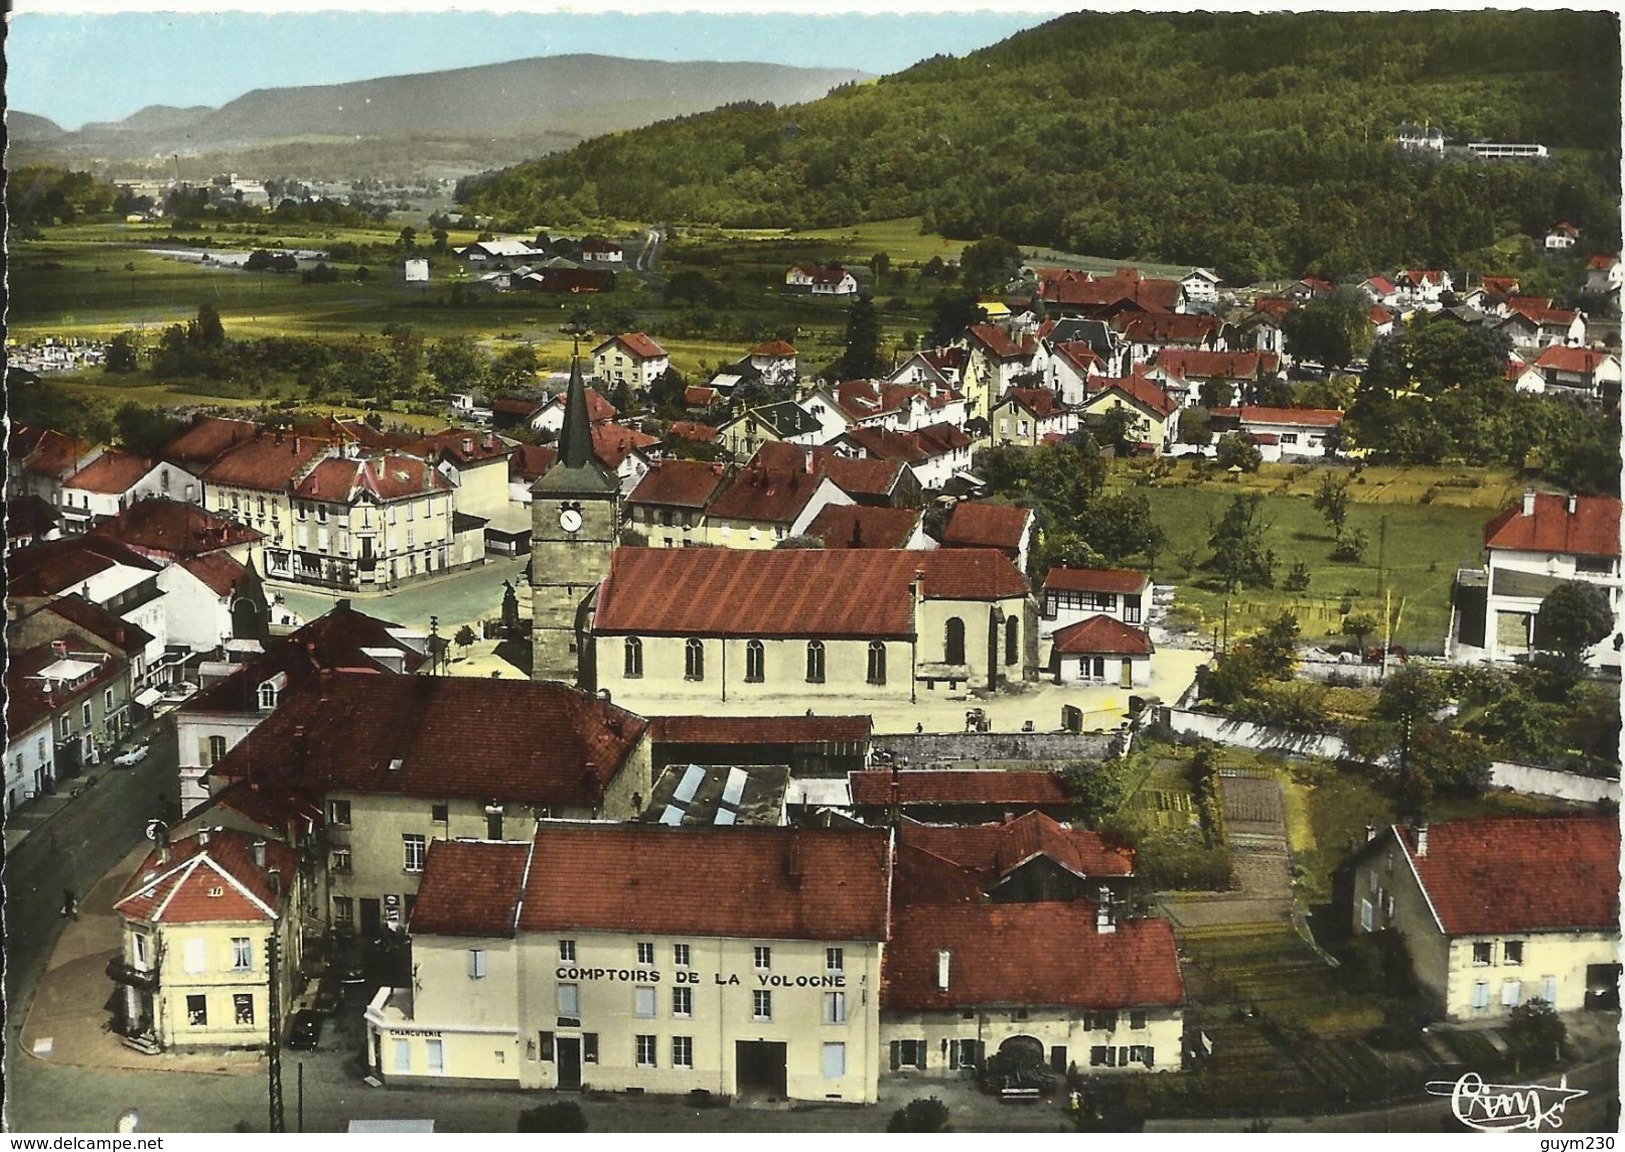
point(197, 920)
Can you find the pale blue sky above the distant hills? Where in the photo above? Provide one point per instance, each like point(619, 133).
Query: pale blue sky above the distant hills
point(210, 58)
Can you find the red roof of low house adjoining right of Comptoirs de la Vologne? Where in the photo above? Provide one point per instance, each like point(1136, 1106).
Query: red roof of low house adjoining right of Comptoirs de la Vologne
point(1028, 955)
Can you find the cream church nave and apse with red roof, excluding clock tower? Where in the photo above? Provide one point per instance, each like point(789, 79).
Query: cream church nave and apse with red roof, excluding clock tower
point(808, 623)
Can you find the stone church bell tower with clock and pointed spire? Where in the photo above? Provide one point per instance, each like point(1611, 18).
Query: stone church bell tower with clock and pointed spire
point(576, 518)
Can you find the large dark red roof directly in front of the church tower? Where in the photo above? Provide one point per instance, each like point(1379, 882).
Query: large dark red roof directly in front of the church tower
point(531, 743)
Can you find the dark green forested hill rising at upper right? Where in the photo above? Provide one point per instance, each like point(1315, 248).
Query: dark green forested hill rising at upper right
point(1262, 144)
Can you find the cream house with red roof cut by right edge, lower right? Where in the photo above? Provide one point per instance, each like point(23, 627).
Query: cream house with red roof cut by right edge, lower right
point(1499, 912)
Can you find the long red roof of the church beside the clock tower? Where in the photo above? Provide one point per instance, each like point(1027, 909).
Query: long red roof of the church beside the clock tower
point(792, 594)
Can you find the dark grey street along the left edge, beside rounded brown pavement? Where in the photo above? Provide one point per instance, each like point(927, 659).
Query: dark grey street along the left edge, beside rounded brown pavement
point(74, 849)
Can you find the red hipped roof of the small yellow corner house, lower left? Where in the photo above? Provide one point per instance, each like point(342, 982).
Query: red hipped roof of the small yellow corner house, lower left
point(210, 883)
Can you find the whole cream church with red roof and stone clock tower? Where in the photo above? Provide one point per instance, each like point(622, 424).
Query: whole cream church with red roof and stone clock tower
point(654, 626)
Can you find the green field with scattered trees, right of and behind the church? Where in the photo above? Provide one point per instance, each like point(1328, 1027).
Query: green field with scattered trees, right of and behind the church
point(1421, 531)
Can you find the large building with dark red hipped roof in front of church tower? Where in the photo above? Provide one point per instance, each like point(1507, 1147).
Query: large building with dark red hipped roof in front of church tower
point(404, 761)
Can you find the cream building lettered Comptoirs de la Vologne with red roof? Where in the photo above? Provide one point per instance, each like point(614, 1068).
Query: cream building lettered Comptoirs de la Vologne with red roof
point(737, 963)
